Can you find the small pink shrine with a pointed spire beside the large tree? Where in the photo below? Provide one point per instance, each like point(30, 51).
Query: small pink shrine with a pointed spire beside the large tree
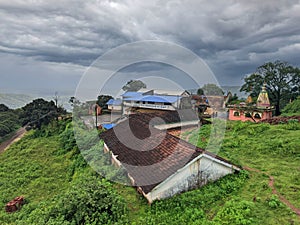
point(249, 111)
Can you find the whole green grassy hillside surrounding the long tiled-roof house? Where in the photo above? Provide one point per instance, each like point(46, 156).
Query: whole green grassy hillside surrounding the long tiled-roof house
point(60, 188)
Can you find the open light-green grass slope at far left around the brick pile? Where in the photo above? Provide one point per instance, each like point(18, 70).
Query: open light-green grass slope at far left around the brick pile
point(31, 169)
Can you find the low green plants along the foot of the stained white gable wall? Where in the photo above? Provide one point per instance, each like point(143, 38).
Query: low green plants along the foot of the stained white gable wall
point(192, 207)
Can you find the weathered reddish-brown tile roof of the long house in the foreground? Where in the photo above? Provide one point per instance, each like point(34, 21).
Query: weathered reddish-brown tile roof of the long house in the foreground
point(149, 155)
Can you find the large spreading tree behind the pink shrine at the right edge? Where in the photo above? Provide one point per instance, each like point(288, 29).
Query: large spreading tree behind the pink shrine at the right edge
point(282, 83)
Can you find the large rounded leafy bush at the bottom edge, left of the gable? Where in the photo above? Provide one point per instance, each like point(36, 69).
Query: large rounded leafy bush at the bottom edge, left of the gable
point(90, 201)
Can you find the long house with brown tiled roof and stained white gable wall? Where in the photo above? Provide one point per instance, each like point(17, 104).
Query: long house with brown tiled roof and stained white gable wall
point(158, 163)
